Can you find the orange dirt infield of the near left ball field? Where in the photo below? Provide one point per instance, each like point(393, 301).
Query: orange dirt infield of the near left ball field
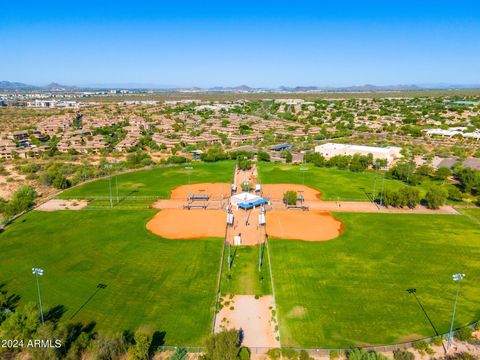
point(182, 224)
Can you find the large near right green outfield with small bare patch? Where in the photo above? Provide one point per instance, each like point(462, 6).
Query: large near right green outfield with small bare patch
point(352, 290)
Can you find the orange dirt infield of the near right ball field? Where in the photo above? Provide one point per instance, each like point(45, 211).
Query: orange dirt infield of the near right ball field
point(303, 225)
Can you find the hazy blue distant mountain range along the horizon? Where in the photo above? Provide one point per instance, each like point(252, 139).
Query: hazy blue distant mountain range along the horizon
point(18, 86)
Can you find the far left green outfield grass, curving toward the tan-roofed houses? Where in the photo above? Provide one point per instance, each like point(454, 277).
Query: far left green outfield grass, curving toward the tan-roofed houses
point(141, 188)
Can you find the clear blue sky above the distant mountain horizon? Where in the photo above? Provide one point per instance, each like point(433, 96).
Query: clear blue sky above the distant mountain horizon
point(228, 43)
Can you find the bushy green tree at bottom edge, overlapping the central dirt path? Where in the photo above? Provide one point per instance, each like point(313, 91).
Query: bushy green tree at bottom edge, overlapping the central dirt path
point(224, 345)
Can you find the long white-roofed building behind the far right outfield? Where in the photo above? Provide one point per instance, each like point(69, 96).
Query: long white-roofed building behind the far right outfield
point(329, 150)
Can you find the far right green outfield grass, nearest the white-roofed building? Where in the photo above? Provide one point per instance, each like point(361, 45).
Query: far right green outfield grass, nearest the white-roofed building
point(332, 183)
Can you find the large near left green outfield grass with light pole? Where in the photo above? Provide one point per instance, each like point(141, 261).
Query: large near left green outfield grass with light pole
point(160, 285)
